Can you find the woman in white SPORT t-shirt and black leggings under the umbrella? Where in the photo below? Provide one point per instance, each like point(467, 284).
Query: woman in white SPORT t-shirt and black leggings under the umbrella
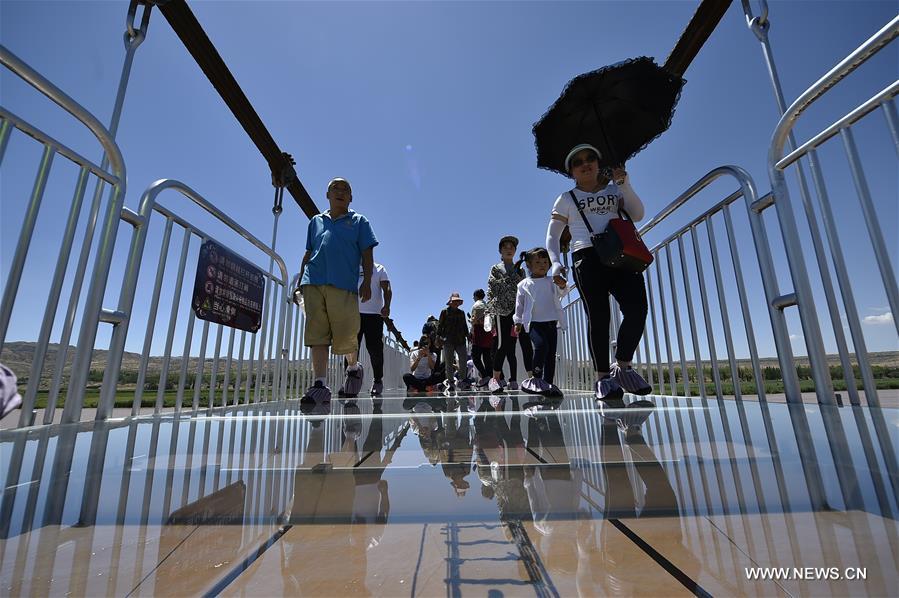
point(596, 199)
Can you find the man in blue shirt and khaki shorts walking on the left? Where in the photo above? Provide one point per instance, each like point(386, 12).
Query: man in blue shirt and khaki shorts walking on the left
point(337, 241)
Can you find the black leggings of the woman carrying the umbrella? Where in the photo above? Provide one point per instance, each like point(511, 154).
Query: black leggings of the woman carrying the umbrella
point(595, 283)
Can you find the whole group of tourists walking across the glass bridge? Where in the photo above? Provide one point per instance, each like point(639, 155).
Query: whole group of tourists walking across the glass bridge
point(346, 296)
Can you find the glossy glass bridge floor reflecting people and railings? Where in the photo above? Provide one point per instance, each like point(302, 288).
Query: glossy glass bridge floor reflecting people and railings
point(433, 495)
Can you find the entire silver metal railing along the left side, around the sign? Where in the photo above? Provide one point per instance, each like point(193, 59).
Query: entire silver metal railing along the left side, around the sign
point(275, 367)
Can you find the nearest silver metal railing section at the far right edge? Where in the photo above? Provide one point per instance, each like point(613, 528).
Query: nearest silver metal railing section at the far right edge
point(779, 159)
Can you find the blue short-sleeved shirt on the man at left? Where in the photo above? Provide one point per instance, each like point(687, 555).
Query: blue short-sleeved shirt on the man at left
point(337, 247)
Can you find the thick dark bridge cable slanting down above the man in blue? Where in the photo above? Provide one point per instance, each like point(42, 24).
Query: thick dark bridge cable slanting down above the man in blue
point(194, 38)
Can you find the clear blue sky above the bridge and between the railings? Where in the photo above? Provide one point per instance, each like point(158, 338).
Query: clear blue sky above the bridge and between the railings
point(427, 107)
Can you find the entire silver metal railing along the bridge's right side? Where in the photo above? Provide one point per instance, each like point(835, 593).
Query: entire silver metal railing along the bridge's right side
point(668, 366)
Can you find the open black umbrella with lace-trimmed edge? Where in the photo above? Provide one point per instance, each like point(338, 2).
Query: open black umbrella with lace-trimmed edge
point(618, 109)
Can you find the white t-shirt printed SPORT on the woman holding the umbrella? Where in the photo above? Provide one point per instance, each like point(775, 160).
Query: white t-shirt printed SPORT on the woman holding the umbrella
point(599, 207)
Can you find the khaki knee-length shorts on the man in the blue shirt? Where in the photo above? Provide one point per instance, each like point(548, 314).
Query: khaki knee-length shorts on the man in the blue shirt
point(332, 318)
